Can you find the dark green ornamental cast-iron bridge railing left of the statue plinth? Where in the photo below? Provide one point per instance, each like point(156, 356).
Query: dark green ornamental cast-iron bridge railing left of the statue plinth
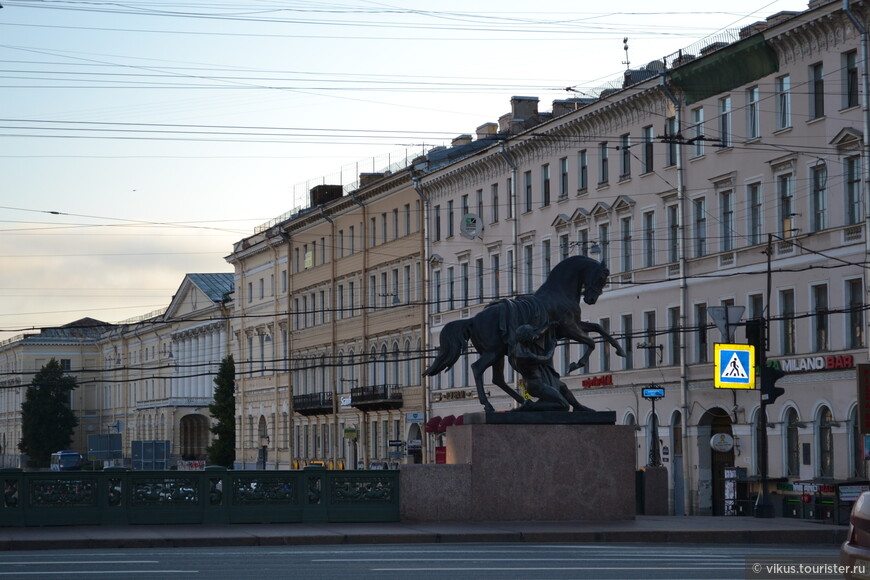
point(215, 495)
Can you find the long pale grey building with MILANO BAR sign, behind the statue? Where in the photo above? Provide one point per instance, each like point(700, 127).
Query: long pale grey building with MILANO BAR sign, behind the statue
point(728, 177)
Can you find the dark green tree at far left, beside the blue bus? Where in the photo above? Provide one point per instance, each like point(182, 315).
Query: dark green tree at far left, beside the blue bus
point(47, 422)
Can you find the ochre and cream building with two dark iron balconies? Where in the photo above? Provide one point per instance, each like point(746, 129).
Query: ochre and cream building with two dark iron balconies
point(328, 328)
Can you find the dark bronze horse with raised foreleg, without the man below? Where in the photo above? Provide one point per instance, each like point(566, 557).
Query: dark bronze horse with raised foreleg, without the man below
point(556, 302)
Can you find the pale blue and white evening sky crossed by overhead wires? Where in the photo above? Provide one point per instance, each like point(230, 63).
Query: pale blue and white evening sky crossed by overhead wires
point(140, 140)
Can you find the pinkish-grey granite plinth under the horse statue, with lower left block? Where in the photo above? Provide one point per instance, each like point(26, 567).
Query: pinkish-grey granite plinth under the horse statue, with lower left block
point(526, 473)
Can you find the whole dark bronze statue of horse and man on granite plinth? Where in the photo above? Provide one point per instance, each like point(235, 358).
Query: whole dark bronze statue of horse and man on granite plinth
point(526, 330)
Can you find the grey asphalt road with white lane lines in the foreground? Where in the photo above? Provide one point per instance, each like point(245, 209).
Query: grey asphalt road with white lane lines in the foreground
point(422, 562)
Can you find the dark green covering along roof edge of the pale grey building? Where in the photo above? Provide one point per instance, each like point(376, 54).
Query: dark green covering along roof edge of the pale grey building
point(733, 66)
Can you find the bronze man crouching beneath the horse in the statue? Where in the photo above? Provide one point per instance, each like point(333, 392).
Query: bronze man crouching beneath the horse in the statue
point(531, 355)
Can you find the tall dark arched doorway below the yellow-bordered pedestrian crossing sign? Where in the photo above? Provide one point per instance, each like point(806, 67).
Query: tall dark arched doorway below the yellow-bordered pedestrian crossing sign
point(712, 463)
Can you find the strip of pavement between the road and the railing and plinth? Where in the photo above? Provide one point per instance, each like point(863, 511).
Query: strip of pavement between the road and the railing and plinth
point(646, 529)
